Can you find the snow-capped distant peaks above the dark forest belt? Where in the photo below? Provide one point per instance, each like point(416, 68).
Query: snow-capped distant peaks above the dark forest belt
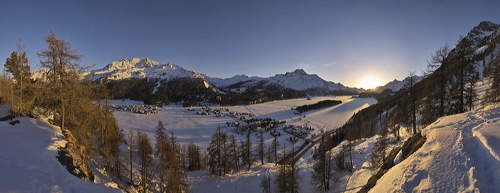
point(146, 68)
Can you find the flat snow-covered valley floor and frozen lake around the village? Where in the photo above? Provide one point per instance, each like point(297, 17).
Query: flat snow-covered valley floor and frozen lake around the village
point(188, 126)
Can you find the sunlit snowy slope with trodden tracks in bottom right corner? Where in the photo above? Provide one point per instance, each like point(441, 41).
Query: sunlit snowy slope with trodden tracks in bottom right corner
point(461, 155)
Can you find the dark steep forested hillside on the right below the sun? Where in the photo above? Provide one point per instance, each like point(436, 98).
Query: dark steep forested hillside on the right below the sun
point(448, 87)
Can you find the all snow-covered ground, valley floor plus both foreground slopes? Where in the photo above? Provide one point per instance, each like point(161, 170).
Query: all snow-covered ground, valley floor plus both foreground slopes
point(462, 152)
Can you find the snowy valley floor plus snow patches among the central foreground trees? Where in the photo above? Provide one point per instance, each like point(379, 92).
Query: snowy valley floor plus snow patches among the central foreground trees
point(188, 126)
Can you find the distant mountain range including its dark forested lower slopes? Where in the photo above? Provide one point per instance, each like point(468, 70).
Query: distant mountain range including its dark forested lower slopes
point(153, 82)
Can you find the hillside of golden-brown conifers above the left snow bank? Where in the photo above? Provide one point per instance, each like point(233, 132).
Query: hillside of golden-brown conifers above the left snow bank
point(78, 107)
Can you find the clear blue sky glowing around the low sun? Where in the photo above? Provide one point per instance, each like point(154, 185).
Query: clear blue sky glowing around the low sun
point(339, 40)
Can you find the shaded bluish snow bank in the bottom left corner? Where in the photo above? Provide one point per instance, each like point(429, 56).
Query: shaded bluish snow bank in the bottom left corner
point(28, 160)
